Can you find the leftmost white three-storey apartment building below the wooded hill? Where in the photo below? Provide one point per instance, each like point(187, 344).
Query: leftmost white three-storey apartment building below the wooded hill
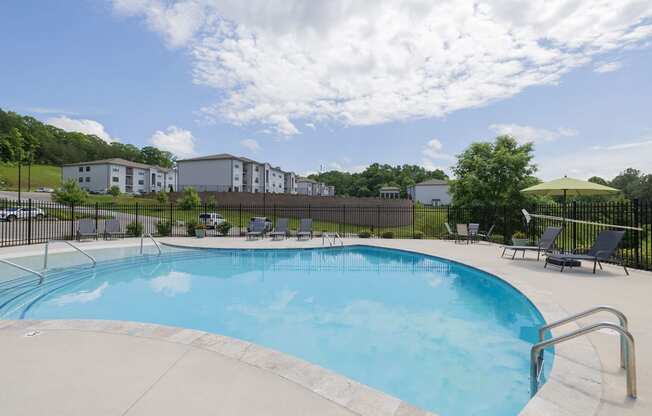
point(130, 177)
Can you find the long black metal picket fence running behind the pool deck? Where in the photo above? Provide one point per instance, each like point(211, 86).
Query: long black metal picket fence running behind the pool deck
point(32, 222)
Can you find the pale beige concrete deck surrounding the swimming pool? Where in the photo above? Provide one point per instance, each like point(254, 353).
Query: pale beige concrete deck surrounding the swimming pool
point(585, 380)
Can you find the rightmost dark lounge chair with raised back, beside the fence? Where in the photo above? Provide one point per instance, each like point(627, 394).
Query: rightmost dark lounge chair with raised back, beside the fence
point(603, 249)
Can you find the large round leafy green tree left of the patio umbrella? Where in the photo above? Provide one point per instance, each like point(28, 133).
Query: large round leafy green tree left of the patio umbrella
point(493, 174)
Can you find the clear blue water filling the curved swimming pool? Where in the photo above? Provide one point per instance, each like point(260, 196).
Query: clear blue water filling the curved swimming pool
point(435, 333)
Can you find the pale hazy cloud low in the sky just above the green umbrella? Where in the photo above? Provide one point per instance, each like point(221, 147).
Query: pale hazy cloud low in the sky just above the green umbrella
point(604, 161)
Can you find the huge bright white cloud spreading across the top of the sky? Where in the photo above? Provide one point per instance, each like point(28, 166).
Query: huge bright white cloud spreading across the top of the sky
point(366, 62)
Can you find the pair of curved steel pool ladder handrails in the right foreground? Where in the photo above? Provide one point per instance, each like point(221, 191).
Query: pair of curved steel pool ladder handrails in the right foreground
point(627, 345)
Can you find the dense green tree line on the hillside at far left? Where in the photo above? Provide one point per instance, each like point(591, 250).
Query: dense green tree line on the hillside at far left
point(25, 139)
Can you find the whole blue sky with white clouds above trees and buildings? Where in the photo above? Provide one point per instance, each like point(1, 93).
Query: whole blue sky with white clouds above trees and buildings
point(307, 84)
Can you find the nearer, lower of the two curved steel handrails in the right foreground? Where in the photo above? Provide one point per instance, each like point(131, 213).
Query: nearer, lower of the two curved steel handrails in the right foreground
point(630, 365)
